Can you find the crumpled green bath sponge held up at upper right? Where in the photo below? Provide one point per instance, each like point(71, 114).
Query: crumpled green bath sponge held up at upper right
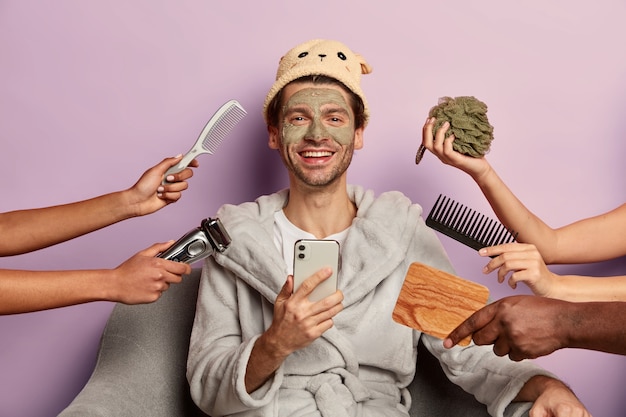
point(468, 122)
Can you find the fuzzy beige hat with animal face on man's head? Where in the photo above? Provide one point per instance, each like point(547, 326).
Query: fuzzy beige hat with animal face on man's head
point(321, 57)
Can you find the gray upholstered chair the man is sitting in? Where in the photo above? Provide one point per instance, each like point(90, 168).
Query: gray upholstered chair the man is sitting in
point(140, 368)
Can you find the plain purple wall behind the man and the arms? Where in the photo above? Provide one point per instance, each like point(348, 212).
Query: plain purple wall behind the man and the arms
point(94, 93)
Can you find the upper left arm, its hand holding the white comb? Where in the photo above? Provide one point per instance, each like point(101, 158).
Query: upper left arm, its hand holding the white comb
point(28, 230)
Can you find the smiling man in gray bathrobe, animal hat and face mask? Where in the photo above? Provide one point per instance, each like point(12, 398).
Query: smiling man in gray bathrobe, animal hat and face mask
point(260, 349)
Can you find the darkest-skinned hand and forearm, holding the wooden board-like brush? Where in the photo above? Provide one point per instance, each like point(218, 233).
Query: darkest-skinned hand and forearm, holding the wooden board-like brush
point(526, 327)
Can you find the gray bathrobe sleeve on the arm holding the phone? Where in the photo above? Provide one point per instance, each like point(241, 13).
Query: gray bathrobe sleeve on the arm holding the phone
point(219, 351)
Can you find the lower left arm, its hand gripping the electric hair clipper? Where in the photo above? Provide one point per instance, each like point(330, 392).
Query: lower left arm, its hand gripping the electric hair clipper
point(140, 279)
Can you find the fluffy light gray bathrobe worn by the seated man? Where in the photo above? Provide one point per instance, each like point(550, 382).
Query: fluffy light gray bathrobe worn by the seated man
point(361, 366)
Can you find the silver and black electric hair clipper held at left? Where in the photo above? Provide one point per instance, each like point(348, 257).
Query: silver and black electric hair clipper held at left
point(199, 243)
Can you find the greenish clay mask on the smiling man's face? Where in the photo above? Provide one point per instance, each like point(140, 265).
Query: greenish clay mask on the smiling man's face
point(328, 114)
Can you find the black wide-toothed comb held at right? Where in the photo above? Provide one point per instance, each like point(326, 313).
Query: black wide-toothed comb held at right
point(466, 225)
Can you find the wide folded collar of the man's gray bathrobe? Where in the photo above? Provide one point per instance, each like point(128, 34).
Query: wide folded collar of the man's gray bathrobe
point(380, 236)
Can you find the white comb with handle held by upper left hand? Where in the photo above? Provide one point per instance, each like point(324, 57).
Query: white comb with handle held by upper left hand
point(216, 129)
